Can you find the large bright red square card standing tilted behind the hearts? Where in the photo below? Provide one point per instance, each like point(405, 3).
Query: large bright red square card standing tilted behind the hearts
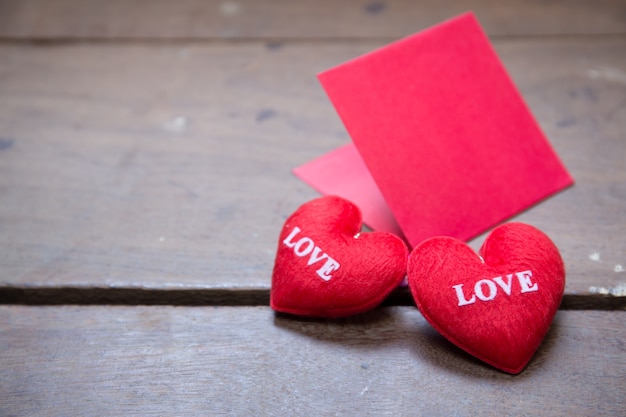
point(444, 132)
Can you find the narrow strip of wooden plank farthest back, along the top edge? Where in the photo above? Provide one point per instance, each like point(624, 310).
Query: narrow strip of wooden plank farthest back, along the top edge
point(236, 19)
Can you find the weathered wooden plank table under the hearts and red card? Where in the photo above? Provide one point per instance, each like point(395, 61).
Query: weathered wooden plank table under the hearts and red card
point(145, 158)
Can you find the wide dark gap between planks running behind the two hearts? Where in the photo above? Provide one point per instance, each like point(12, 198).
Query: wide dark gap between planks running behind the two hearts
point(226, 297)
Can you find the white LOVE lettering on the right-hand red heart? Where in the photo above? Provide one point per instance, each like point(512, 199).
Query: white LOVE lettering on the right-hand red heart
point(487, 290)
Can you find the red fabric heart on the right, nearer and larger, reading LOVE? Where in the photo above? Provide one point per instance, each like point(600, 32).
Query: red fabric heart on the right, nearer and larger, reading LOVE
point(497, 308)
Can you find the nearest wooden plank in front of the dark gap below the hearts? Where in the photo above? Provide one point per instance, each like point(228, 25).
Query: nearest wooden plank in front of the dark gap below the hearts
point(147, 361)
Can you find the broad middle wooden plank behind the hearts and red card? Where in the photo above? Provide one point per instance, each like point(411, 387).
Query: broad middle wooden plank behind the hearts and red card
point(169, 166)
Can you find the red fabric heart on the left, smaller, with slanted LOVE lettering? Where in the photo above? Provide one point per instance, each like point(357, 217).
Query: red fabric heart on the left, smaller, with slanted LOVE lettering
point(325, 268)
